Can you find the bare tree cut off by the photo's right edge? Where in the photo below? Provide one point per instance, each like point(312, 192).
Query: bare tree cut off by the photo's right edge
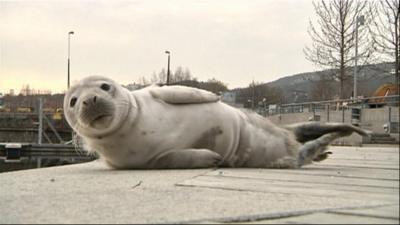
point(385, 31)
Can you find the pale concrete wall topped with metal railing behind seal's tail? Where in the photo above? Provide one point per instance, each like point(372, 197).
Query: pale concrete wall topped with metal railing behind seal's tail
point(380, 114)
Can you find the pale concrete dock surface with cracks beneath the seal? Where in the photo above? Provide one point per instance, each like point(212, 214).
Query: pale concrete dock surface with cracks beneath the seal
point(354, 185)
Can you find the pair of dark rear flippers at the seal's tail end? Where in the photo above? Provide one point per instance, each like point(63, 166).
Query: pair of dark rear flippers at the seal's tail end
point(317, 136)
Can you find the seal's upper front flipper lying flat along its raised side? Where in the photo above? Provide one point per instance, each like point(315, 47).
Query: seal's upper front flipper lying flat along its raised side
point(183, 95)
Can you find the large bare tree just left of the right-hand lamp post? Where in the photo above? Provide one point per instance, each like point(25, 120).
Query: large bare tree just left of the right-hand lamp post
point(333, 40)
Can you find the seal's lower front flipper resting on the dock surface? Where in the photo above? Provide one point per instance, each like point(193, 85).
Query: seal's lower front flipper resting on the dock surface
point(186, 159)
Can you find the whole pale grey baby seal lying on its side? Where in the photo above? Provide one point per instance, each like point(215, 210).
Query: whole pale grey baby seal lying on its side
point(183, 127)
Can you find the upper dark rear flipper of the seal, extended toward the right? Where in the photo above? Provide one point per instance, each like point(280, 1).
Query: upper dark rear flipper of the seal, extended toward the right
point(312, 130)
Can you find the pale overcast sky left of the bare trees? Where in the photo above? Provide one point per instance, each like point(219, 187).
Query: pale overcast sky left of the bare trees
point(234, 41)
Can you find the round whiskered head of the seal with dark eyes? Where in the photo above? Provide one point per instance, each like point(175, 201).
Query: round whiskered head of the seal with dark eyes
point(96, 106)
